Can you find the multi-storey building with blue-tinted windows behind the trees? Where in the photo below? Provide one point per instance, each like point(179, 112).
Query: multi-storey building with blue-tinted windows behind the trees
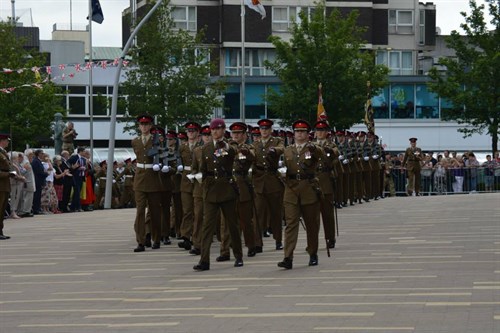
point(401, 32)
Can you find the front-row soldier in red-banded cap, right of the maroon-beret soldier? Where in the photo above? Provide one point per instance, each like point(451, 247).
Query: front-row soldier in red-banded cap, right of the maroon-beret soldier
point(302, 193)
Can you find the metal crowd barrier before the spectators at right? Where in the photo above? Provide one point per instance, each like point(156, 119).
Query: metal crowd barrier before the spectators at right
point(440, 181)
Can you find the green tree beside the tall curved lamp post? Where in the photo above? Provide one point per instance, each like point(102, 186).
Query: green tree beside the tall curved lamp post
point(170, 76)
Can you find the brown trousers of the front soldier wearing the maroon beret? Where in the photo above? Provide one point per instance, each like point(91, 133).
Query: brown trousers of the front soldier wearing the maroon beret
point(228, 210)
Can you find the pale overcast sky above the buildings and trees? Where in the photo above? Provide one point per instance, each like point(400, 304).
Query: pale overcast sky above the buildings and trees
point(45, 13)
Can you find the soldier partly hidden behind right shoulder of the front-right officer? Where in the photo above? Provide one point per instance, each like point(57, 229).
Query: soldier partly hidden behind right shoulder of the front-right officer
point(325, 176)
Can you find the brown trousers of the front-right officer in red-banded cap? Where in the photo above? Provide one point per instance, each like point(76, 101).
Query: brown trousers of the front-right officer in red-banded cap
point(310, 214)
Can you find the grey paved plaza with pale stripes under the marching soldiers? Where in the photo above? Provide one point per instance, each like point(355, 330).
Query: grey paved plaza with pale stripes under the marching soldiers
point(422, 264)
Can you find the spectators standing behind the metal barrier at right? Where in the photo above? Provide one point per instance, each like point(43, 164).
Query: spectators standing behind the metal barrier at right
point(449, 173)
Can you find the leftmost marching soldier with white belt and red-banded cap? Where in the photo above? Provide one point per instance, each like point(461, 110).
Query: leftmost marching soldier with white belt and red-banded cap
point(147, 188)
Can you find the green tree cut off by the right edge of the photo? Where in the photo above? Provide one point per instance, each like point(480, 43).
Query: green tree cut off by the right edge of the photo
point(471, 81)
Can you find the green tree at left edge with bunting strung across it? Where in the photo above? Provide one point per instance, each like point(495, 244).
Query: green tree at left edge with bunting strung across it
point(28, 110)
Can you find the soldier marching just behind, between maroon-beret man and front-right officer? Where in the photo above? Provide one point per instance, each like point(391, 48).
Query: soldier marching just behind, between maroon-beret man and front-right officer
point(267, 185)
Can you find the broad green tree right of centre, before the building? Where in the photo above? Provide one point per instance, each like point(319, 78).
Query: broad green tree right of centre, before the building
point(327, 50)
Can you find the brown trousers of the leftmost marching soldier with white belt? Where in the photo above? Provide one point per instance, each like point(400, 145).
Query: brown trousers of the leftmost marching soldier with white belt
point(151, 200)
